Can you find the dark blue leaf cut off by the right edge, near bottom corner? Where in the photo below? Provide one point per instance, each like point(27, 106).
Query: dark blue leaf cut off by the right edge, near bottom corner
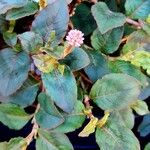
point(144, 127)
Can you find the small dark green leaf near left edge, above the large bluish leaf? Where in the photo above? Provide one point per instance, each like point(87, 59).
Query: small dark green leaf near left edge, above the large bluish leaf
point(10, 38)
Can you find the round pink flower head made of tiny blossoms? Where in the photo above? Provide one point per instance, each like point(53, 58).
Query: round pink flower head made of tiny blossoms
point(75, 38)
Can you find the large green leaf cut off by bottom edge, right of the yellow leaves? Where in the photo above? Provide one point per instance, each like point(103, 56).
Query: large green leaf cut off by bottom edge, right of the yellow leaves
point(115, 136)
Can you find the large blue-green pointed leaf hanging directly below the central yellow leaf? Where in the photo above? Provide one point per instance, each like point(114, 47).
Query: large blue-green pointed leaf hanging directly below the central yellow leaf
point(61, 88)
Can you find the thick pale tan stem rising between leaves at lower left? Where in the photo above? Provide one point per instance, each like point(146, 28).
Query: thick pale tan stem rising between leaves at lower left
point(35, 127)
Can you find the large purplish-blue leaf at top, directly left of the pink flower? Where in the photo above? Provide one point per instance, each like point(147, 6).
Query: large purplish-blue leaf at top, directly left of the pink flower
point(54, 17)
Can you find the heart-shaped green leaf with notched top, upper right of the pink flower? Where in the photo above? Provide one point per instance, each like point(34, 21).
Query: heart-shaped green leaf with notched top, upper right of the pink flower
point(106, 19)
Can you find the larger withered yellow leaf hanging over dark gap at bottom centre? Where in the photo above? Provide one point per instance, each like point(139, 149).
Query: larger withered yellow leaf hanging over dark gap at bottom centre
point(89, 128)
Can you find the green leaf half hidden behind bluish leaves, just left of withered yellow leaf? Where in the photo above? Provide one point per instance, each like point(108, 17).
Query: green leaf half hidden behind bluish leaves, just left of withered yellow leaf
point(73, 120)
